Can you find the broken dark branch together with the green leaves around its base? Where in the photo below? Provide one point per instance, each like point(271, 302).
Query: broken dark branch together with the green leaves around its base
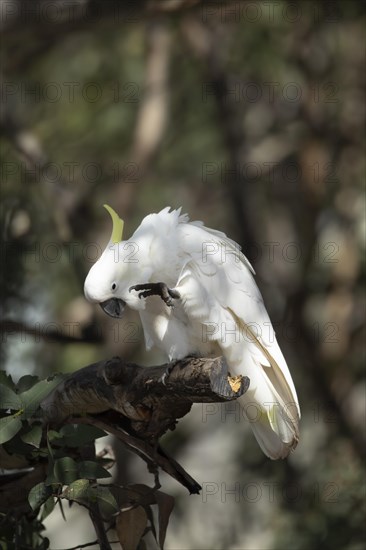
point(48, 429)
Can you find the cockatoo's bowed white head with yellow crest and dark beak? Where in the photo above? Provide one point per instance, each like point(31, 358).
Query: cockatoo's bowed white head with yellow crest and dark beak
point(119, 267)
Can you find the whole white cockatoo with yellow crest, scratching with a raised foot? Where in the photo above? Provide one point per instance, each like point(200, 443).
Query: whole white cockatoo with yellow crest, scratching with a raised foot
point(217, 310)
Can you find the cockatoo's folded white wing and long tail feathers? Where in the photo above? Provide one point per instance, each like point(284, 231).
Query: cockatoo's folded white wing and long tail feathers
point(218, 290)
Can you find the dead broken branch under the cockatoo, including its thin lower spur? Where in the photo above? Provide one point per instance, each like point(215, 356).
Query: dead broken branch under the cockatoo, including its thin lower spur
point(132, 403)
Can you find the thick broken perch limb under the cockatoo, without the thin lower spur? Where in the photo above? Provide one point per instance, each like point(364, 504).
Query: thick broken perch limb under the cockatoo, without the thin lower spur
point(139, 394)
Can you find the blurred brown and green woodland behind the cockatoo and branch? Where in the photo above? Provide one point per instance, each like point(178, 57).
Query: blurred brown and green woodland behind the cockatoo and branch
point(249, 115)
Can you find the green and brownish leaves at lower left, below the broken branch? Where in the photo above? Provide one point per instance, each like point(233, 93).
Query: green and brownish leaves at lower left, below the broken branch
point(29, 443)
